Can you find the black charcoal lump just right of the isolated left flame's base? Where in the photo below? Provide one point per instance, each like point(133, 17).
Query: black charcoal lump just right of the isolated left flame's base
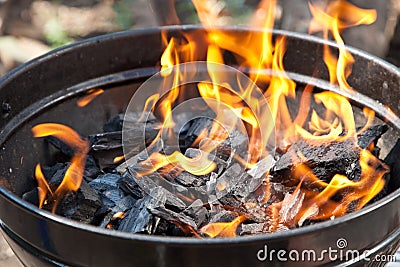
point(82, 205)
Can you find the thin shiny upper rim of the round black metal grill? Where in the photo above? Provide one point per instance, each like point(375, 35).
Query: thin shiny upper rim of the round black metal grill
point(14, 199)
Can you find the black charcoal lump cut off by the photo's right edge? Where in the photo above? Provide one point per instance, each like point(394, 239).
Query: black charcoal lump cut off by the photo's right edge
point(392, 160)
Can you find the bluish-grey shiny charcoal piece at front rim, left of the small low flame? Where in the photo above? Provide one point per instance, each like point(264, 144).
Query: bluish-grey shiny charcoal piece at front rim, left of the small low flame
point(139, 219)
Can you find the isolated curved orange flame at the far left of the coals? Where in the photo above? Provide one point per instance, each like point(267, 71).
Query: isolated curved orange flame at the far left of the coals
point(73, 176)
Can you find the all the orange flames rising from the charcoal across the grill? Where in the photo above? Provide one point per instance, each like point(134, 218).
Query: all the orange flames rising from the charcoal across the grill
point(243, 105)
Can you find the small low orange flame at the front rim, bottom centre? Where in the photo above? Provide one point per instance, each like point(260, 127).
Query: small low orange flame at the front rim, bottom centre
point(223, 229)
